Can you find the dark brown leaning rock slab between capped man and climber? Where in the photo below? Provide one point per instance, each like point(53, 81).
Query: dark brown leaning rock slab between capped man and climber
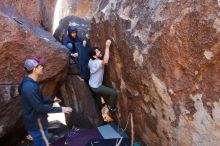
point(78, 96)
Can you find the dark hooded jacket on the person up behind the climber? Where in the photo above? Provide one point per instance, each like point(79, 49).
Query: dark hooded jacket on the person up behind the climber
point(76, 42)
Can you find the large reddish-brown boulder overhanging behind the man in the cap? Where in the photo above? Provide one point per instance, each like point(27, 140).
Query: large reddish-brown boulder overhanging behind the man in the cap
point(20, 40)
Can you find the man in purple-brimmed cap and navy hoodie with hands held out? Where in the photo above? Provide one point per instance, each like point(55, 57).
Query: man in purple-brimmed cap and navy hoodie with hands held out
point(35, 105)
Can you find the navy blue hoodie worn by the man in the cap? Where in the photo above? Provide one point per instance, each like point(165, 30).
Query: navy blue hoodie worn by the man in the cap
point(34, 105)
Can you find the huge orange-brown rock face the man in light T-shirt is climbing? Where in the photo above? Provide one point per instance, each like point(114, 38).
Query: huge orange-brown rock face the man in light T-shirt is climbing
point(165, 66)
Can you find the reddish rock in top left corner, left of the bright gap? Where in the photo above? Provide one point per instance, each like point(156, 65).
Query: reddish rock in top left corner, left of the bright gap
point(39, 12)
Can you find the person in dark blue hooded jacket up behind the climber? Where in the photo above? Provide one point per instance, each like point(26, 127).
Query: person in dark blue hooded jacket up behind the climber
point(79, 50)
